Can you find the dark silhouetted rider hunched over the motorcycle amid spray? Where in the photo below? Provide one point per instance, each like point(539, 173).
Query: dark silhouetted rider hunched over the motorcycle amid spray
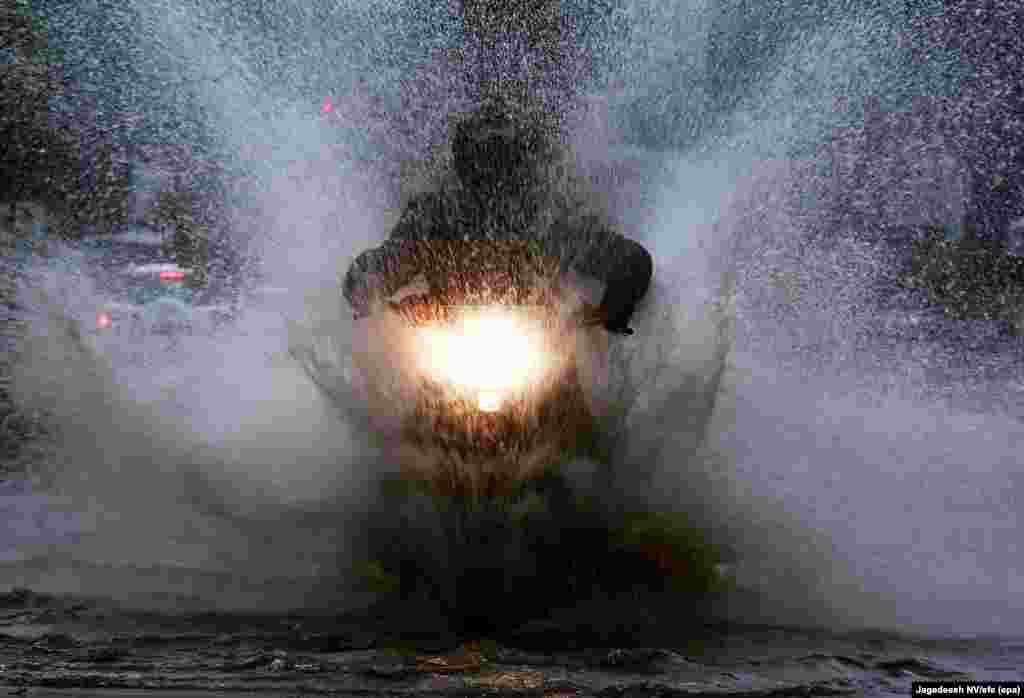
point(501, 194)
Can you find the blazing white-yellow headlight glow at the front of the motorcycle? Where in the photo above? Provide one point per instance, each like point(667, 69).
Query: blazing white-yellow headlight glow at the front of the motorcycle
point(491, 356)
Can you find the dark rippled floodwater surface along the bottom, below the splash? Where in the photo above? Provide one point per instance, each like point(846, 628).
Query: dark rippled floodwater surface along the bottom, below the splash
point(63, 647)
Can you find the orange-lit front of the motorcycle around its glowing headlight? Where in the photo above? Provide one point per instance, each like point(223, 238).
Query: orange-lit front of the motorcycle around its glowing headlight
point(476, 399)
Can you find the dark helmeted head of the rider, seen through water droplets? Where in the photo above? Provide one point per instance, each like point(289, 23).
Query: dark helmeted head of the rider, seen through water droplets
point(498, 146)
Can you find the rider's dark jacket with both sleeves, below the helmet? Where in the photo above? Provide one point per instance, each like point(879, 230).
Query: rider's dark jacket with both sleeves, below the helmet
point(455, 236)
